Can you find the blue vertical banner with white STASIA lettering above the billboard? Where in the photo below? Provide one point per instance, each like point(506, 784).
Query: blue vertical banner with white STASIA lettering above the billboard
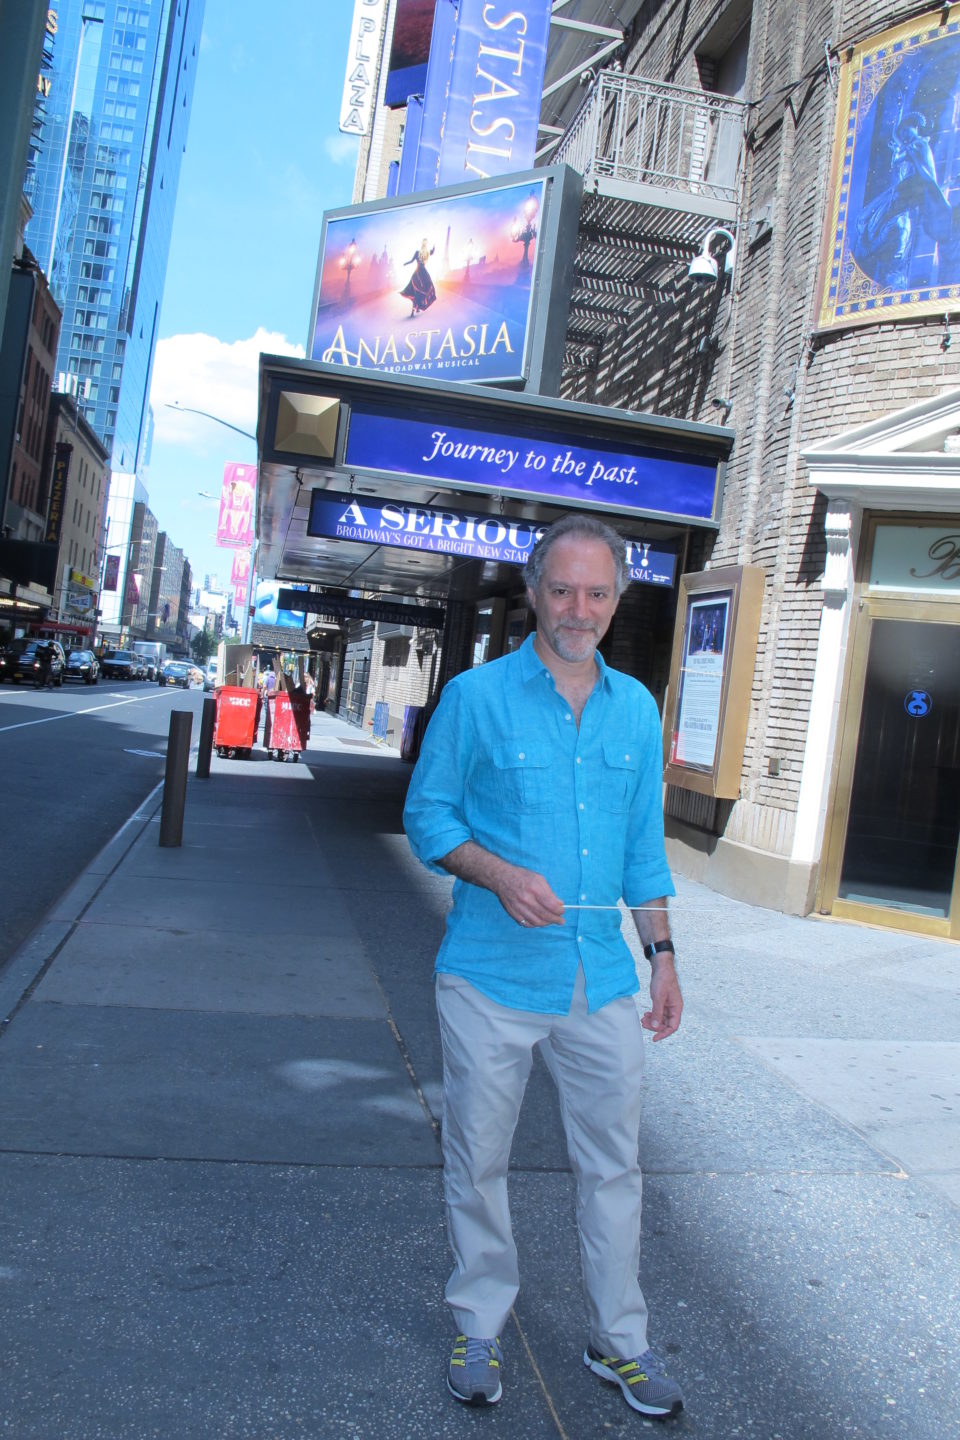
point(493, 106)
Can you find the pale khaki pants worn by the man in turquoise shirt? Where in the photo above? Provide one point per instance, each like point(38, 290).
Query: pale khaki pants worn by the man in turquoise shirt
point(598, 1063)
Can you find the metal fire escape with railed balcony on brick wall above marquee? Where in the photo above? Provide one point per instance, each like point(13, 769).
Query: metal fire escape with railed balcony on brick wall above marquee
point(661, 168)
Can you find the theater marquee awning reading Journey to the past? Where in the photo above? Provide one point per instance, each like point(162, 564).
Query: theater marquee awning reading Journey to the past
point(431, 470)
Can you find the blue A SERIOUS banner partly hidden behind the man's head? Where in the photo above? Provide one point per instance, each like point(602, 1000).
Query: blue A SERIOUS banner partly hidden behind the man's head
point(373, 521)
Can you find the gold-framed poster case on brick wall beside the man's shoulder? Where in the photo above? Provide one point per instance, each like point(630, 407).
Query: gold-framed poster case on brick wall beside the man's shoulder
point(712, 680)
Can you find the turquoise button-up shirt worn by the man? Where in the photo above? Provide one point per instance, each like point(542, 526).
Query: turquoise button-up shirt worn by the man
point(504, 765)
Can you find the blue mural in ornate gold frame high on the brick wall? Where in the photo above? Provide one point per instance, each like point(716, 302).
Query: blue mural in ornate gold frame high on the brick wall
point(890, 248)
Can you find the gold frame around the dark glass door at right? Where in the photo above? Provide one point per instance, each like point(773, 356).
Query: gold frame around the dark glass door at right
point(869, 607)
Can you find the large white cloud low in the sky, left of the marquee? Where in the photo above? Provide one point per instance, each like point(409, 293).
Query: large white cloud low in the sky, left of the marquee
point(204, 374)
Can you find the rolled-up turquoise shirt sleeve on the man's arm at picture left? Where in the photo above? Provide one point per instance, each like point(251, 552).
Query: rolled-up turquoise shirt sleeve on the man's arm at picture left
point(434, 813)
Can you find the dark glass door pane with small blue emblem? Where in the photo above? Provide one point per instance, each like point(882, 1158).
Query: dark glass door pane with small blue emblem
point(905, 817)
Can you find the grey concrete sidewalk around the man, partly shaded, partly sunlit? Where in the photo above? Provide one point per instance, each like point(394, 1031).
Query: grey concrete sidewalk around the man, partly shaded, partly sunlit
point(221, 1203)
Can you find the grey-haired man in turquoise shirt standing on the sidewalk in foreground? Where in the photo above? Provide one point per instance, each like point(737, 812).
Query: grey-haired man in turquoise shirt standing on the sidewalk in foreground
point(539, 787)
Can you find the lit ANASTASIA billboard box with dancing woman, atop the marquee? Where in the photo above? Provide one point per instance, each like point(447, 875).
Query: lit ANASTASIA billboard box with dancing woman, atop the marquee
point(468, 283)
